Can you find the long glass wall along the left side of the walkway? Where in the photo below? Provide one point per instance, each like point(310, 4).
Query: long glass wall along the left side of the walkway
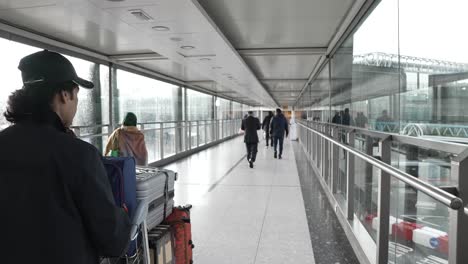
point(161, 108)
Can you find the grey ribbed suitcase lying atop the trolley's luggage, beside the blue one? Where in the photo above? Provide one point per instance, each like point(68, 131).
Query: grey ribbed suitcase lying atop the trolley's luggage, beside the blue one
point(156, 186)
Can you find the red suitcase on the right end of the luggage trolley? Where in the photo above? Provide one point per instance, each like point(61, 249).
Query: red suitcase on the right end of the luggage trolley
point(181, 229)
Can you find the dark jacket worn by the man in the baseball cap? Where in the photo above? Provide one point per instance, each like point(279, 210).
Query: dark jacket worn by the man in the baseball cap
point(55, 198)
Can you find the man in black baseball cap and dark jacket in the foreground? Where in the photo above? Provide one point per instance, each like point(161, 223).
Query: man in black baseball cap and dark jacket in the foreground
point(56, 201)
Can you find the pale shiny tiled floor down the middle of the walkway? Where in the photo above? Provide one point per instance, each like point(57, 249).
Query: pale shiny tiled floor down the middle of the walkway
point(242, 215)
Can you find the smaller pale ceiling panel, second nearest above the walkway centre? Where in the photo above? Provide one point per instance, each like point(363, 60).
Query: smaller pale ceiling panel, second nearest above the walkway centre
point(282, 66)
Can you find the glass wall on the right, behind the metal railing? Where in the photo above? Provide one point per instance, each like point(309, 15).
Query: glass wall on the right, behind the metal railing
point(404, 70)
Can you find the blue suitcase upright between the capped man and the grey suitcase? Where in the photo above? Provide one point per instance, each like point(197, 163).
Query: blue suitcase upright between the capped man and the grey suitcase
point(122, 177)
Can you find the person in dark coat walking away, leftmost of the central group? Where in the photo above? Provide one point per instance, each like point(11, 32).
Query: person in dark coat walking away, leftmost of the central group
point(250, 125)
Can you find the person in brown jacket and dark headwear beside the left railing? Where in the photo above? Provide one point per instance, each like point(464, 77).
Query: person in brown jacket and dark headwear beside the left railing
point(128, 141)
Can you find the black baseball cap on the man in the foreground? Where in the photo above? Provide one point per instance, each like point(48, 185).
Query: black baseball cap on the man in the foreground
point(47, 67)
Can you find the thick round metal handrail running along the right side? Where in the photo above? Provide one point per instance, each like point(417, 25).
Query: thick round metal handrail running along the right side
point(445, 198)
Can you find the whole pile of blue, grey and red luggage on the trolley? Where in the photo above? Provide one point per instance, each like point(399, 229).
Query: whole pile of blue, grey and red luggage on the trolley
point(134, 185)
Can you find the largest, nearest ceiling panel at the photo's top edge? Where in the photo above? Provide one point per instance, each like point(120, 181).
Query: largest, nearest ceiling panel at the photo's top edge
point(278, 23)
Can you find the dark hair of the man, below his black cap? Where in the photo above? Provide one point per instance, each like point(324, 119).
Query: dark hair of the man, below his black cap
point(33, 101)
